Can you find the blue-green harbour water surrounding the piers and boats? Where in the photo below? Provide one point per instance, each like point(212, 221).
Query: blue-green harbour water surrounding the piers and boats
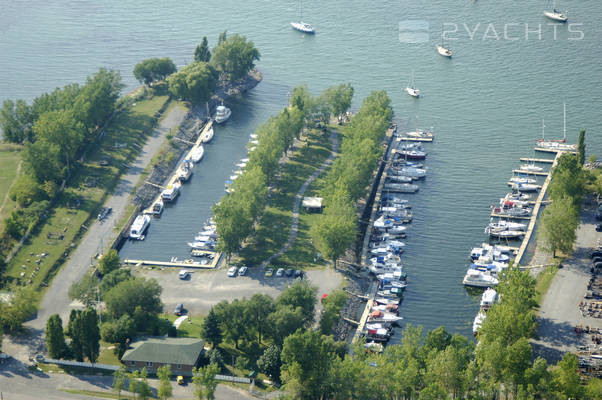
point(486, 104)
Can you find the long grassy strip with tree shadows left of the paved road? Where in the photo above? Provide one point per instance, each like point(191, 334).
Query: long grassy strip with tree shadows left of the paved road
point(87, 191)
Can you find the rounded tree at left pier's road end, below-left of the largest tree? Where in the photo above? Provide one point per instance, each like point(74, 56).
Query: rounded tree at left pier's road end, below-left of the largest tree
point(195, 82)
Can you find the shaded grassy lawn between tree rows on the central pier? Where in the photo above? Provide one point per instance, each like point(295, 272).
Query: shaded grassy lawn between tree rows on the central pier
point(274, 227)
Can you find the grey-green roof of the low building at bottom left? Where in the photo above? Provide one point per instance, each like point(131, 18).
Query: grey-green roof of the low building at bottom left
point(185, 351)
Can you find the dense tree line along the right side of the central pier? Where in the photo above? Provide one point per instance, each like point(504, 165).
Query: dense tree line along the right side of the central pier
point(350, 174)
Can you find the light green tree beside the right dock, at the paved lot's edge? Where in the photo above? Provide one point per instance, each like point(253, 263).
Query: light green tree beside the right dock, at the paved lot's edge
point(558, 225)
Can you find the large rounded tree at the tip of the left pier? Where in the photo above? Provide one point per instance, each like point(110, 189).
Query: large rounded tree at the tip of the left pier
point(234, 57)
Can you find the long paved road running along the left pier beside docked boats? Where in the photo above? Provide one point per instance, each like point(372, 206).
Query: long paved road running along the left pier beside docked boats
point(56, 299)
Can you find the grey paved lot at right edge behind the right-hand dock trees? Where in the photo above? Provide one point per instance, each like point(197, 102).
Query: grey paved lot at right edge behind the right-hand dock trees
point(559, 312)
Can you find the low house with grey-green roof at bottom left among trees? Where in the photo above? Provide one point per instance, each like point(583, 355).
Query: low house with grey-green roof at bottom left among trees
point(183, 354)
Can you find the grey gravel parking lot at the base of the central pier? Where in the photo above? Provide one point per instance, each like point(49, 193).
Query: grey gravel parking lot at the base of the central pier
point(203, 289)
